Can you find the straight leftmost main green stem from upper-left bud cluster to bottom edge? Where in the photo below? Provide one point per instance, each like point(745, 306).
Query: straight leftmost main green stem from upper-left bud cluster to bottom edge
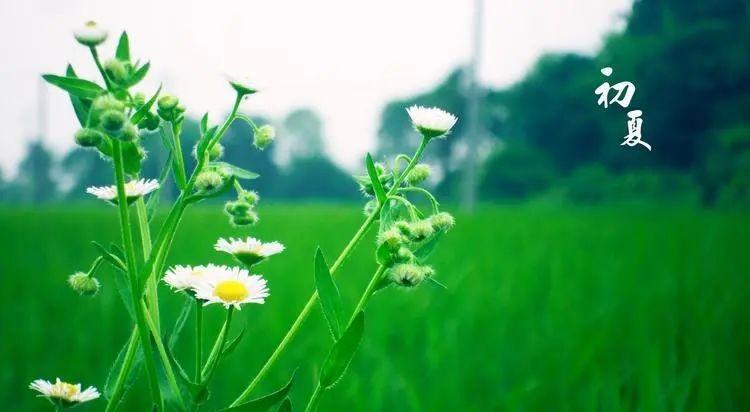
point(127, 243)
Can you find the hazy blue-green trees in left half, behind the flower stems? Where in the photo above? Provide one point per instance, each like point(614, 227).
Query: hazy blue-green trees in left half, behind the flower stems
point(294, 167)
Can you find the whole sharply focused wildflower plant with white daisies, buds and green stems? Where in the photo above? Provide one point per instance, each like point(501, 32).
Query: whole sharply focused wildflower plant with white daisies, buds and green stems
point(114, 120)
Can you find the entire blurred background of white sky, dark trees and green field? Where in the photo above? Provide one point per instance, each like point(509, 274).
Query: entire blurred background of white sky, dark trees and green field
point(582, 274)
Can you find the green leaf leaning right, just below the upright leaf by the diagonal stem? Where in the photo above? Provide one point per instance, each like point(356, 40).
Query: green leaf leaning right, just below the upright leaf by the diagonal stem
point(342, 352)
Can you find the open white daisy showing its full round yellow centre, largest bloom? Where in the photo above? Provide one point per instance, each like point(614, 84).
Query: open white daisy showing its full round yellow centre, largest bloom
point(231, 287)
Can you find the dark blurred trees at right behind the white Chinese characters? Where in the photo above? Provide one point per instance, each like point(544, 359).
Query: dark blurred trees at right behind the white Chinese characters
point(546, 135)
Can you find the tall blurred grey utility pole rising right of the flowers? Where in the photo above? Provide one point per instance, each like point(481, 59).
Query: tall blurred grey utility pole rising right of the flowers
point(469, 197)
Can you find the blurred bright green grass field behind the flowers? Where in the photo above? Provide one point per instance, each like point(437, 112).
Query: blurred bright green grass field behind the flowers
point(548, 309)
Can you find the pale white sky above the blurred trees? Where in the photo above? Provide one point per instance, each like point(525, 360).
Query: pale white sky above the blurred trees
point(345, 59)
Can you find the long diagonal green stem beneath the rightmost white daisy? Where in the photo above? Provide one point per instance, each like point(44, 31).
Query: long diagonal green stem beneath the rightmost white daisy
point(339, 261)
